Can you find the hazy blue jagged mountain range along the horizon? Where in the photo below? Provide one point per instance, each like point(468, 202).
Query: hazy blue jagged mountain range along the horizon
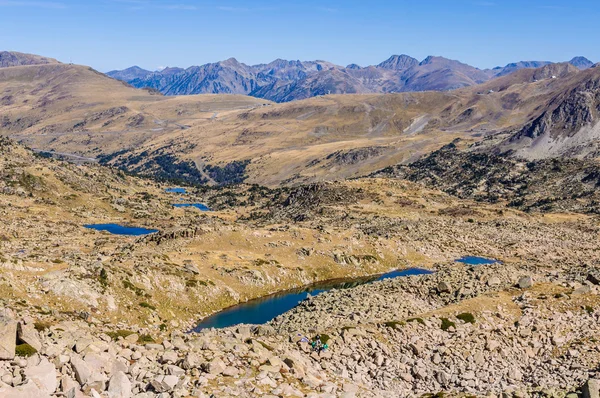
point(283, 81)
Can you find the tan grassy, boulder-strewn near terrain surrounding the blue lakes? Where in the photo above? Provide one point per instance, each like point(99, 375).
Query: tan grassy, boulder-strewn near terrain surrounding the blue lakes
point(88, 314)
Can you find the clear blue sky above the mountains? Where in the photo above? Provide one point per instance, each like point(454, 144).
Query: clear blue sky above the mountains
point(114, 34)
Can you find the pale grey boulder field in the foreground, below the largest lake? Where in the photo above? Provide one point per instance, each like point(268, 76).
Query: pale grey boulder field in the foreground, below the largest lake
point(485, 331)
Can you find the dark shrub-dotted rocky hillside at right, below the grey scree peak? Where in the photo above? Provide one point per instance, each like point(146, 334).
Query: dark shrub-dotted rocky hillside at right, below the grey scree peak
point(540, 185)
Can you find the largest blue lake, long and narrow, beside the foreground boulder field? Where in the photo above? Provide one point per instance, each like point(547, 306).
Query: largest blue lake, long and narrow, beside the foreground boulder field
point(263, 309)
